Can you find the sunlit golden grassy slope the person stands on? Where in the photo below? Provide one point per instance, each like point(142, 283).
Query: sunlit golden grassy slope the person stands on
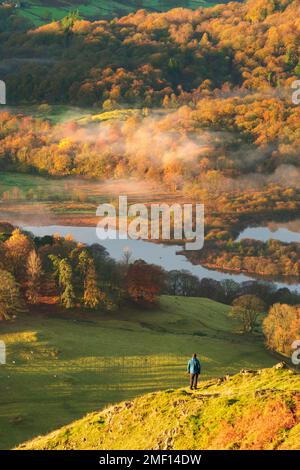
point(252, 410)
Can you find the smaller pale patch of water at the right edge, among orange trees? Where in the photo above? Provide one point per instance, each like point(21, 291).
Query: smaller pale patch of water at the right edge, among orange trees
point(286, 232)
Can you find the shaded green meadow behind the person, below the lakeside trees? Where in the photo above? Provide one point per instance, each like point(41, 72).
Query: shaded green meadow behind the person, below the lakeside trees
point(62, 367)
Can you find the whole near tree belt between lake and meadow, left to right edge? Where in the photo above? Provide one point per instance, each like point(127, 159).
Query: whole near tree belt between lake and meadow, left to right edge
point(61, 273)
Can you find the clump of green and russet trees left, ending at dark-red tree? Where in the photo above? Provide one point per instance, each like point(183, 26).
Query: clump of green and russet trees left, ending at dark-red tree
point(59, 271)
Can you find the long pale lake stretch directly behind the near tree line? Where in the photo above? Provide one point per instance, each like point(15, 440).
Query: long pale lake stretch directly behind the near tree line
point(159, 254)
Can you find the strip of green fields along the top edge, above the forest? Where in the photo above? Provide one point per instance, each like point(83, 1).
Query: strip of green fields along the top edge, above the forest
point(42, 11)
